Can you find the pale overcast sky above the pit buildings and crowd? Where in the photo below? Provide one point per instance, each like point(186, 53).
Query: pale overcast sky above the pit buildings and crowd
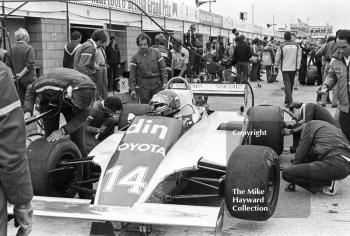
point(314, 12)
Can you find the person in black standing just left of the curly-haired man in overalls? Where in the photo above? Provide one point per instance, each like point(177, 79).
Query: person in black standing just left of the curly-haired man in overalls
point(113, 61)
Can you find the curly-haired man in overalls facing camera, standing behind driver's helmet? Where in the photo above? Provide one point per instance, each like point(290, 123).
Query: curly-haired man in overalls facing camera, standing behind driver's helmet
point(147, 70)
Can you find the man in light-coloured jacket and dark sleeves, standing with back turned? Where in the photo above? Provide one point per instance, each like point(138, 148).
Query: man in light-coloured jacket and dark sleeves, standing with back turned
point(288, 59)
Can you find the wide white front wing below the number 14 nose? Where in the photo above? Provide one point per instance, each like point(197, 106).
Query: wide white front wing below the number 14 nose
point(139, 213)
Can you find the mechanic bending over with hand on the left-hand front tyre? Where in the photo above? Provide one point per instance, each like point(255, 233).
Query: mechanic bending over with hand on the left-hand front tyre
point(65, 91)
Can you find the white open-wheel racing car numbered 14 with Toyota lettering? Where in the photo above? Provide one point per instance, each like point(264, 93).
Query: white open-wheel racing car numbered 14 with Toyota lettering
point(156, 172)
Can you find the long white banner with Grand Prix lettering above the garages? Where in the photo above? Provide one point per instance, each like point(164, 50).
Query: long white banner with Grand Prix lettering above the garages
point(162, 8)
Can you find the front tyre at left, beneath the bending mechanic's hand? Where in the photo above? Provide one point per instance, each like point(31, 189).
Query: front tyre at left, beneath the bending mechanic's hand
point(49, 178)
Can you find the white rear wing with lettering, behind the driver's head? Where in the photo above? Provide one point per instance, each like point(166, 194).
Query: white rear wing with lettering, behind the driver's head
point(226, 90)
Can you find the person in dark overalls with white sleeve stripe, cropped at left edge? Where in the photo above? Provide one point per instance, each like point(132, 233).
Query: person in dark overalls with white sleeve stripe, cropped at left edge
point(16, 186)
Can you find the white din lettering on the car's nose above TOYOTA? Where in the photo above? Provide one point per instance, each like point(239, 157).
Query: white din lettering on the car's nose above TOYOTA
point(146, 127)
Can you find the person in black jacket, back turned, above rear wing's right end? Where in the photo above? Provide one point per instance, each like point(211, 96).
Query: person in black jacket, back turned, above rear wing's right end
point(241, 55)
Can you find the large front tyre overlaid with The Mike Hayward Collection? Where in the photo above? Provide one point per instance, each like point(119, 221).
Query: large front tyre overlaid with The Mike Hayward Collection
point(252, 174)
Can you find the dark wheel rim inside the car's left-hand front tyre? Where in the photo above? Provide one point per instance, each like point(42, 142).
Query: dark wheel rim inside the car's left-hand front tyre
point(63, 176)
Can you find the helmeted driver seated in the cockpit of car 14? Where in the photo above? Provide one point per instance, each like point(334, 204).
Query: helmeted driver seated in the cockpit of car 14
point(167, 103)
